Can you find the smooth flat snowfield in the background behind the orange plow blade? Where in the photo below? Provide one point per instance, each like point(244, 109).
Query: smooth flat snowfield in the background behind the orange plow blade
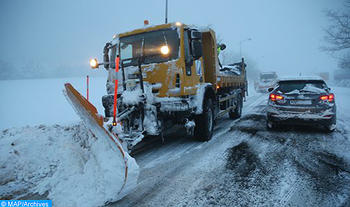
point(41, 101)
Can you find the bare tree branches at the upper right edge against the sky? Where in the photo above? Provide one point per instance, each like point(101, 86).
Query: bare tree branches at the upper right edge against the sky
point(338, 35)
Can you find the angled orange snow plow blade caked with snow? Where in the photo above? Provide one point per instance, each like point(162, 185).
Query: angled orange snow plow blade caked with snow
point(94, 122)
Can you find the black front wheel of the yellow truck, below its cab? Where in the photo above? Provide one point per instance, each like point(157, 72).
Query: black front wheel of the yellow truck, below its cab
point(205, 122)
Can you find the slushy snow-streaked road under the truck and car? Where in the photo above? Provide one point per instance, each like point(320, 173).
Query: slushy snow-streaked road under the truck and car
point(246, 165)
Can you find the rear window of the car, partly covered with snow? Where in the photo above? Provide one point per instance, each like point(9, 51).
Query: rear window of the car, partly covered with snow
point(288, 86)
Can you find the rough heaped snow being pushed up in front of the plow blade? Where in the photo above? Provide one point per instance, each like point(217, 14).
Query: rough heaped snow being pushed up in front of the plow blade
point(66, 164)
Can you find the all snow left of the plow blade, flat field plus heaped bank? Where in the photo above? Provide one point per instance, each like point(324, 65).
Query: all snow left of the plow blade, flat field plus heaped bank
point(65, 163)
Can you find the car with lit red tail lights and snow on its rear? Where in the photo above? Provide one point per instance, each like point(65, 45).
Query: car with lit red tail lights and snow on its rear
point(301, 101)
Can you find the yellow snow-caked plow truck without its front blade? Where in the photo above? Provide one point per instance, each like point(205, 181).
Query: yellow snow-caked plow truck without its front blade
point(168, 75)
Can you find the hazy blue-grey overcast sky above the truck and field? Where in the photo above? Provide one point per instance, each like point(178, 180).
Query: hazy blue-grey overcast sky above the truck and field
point(286, 34)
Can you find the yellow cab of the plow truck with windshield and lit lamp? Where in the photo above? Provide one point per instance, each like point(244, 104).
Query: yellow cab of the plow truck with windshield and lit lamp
point(172, 56)
